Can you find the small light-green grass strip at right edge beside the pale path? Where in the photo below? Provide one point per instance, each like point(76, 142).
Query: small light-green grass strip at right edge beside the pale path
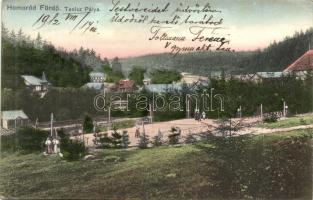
point(290, 122)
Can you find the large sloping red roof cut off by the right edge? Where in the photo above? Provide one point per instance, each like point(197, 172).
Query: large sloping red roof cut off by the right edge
point(304, 63)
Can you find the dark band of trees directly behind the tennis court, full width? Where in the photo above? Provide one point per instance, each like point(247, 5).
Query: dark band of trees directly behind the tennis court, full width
point(72, 103)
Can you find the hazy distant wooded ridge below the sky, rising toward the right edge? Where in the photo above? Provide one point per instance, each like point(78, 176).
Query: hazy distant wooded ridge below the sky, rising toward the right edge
point(276, 57)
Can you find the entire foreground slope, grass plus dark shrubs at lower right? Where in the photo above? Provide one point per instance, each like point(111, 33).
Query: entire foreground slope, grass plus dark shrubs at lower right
point(261, 167)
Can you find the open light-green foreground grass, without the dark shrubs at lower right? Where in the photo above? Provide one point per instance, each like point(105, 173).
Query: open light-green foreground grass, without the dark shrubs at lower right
point(185, 172)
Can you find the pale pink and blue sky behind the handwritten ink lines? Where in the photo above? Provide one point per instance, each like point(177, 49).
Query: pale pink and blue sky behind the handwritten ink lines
point(251, 24)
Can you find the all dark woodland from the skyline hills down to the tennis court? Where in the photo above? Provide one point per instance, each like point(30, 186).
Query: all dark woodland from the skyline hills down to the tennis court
point(22, 55)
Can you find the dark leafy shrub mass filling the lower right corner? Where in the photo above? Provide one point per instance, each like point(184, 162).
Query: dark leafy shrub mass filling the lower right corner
point(254, 168)
